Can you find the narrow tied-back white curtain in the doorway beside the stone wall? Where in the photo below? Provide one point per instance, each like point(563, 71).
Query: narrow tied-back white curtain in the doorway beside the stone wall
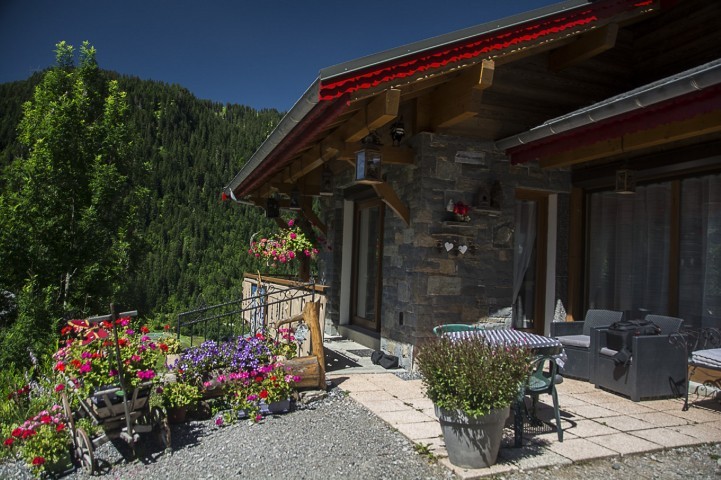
point(524, 241)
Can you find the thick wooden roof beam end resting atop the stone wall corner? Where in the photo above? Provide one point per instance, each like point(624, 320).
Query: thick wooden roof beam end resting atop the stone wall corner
point(457, 100)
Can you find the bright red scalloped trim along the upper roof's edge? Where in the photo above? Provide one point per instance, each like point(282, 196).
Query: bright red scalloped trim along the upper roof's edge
point(485, 45)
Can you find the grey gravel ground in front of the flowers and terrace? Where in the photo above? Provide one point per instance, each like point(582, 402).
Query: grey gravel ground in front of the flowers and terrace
point(338, 438)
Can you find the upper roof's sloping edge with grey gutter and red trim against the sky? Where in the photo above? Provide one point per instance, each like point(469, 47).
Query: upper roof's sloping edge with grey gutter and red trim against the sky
point(338, 87)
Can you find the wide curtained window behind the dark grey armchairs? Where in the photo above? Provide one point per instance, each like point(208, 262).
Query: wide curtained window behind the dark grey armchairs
point(657, 251)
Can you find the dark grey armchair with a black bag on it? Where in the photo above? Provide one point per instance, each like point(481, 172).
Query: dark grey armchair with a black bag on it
point(657, 367)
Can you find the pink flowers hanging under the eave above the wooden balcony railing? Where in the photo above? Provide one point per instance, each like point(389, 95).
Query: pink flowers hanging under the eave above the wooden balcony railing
point(284, 247)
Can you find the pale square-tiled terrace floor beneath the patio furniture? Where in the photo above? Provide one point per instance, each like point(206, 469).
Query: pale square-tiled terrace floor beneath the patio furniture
point(596, 423)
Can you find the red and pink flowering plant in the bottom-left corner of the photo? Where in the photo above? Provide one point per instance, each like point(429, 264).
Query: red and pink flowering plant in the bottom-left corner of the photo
point(42, 439)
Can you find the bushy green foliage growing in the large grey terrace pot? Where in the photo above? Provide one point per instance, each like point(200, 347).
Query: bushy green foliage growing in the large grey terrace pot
point(472, 375)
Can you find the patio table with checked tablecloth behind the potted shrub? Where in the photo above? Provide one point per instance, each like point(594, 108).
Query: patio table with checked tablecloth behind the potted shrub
point(538, 344)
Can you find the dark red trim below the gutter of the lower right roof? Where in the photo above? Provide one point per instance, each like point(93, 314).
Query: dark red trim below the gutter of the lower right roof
point(673, 110)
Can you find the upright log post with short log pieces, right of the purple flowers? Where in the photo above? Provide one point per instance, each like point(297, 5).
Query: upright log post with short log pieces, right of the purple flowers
point(310, 368)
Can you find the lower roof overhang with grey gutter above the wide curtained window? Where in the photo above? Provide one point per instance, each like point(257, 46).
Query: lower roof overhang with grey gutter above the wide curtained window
point(675, 108)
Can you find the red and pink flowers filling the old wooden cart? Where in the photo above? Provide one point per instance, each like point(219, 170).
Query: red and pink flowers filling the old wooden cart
point(89, 357)
